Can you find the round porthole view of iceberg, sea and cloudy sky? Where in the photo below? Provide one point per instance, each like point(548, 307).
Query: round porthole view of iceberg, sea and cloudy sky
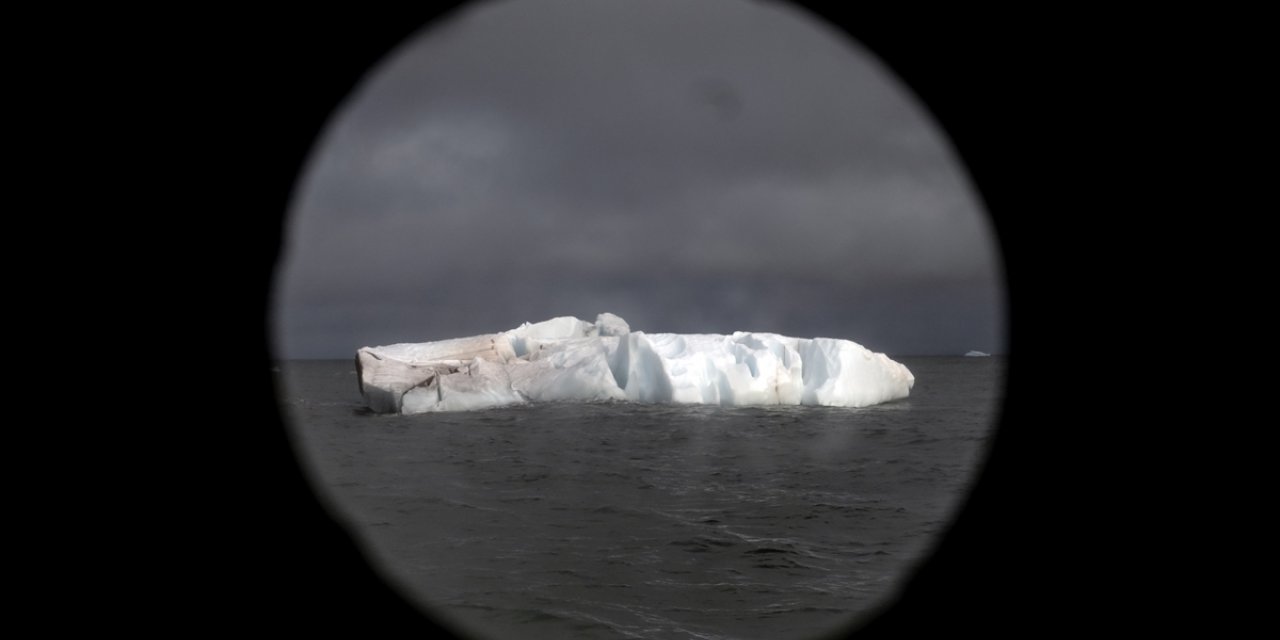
point(732, 319)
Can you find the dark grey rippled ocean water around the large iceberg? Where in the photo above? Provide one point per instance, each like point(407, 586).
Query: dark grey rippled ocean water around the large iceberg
point(648, 522)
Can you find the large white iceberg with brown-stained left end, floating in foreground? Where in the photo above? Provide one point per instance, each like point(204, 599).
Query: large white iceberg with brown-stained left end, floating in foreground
point(572, 360)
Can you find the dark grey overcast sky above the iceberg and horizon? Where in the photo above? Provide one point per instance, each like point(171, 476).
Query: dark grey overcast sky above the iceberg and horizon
point(693, 167)
